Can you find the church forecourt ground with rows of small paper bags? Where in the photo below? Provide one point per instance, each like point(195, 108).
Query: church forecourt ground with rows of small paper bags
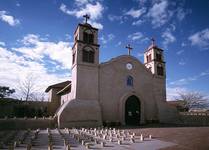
point(155, 138)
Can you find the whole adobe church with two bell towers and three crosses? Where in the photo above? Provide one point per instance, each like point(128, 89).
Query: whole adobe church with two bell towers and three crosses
point(122, 90)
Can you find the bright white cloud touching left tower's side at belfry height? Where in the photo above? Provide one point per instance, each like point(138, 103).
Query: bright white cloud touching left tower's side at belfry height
point(36, 48)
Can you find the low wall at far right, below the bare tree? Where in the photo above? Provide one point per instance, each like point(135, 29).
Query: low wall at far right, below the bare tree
point(195, 118)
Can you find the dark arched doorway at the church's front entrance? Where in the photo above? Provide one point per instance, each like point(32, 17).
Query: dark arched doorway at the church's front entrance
point(132, 111)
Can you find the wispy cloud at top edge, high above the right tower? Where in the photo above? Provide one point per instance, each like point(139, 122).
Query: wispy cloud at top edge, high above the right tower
point(159, 13)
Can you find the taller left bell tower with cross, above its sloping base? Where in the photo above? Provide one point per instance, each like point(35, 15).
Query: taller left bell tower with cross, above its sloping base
point(85, 62)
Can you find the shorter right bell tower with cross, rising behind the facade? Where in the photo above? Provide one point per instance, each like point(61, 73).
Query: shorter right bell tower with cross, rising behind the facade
point(154, 60)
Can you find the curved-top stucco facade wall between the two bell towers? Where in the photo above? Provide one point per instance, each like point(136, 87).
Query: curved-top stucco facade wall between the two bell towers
point(113, 88)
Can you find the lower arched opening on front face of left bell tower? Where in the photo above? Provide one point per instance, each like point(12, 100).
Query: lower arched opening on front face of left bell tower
point(88, 55)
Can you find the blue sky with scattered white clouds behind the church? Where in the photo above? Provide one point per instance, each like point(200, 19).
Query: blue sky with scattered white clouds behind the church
point(36, 38)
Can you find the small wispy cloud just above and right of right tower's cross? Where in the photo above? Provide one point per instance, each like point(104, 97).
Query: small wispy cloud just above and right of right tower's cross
point(168, 37)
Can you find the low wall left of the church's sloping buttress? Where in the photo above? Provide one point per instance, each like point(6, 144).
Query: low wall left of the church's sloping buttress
point(26, 123)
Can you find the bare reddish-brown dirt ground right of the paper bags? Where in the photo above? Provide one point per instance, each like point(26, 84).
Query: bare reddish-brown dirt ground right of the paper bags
point(186, 138)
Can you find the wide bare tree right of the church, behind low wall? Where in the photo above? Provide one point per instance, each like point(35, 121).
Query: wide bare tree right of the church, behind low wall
point(192, 100)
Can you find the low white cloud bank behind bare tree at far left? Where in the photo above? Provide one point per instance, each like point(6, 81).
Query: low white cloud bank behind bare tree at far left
point(14, 69)
